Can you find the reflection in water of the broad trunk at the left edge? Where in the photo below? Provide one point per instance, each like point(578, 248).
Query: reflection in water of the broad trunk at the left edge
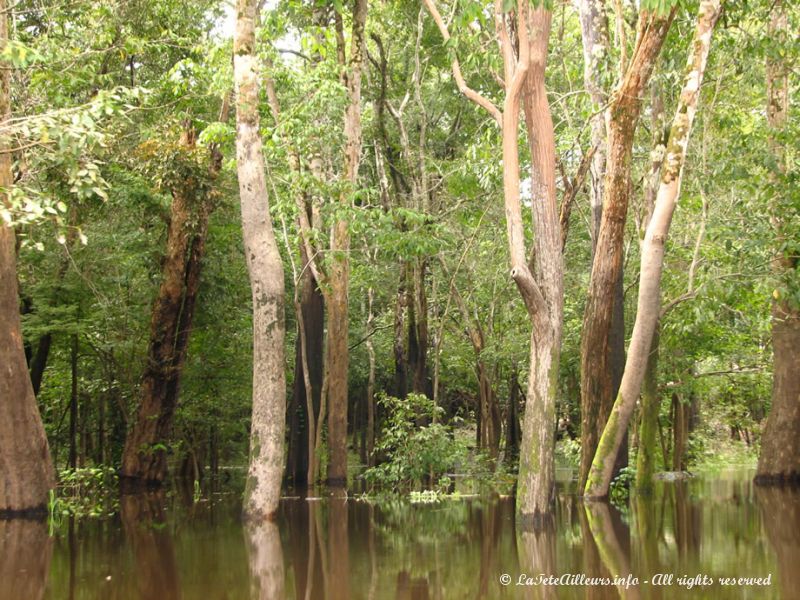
point(25, 551)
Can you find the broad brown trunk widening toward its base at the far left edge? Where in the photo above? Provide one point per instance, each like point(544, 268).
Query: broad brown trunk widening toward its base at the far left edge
point(25, 463)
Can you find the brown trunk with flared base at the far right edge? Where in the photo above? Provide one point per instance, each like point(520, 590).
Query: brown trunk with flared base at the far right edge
point(780, 445)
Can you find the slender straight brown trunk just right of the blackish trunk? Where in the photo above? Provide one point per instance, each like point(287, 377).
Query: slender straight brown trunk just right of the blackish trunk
point(338, 320)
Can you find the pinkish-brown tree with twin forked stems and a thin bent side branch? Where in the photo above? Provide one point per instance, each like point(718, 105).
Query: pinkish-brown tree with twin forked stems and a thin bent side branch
point(540, 286)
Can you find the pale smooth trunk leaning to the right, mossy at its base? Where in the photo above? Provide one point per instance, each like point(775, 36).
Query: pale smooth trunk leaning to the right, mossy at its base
point(652, 260)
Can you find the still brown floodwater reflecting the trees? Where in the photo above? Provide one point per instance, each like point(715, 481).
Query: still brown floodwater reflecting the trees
point(165, 548)
